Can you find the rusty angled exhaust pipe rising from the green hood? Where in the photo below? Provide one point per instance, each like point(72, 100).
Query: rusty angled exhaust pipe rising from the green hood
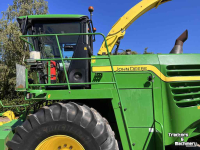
point(178, 47)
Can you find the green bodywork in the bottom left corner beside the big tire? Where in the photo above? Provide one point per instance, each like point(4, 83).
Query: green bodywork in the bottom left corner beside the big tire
point(6, 133)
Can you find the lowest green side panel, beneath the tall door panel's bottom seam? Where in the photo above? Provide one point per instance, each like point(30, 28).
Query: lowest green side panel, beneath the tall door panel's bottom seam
point(142, 138)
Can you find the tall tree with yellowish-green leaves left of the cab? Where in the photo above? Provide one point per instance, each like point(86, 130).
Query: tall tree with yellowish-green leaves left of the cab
point(13, 50)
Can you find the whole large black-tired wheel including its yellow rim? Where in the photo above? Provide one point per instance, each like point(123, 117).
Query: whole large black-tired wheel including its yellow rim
point(79, 123)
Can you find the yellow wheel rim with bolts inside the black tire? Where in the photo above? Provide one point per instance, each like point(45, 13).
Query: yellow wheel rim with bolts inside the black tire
point(60, 142)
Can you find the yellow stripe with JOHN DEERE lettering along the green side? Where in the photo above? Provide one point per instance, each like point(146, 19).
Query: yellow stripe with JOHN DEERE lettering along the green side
point(144, 68)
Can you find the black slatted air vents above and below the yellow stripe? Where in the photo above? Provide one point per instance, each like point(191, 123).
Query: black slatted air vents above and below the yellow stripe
point(185, 94)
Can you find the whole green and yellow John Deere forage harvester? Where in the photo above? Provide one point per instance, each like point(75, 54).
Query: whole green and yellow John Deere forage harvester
point(104, 102)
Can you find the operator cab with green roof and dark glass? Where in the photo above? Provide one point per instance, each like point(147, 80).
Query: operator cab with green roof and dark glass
point(71, 46)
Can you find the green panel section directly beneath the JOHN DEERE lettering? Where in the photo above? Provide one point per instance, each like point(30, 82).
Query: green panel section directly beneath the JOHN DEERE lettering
point(130, 80)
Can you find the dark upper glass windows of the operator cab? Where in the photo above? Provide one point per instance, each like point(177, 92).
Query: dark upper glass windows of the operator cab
point(48, 44)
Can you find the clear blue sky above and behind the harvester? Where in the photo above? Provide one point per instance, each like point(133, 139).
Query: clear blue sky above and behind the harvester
point(157, 29)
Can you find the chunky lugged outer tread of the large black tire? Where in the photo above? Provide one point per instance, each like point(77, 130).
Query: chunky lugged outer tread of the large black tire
point(87, 118)
